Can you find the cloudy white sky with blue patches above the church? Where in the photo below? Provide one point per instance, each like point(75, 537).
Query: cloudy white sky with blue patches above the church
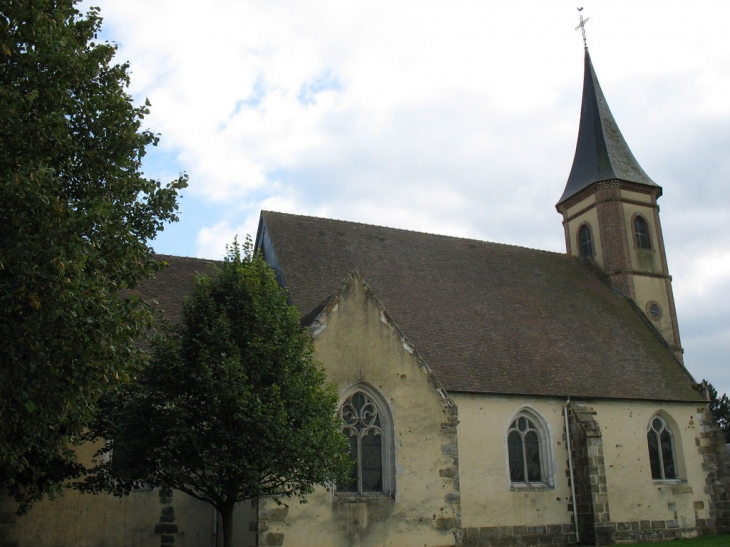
point(452, 117)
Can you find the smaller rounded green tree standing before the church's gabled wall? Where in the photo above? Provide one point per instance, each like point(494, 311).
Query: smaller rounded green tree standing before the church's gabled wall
point(232, 406)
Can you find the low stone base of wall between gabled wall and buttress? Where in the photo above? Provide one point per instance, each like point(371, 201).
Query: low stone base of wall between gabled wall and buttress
point(519, 536)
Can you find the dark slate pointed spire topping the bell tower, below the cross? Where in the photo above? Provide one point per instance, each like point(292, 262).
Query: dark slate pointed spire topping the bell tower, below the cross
point(601, 152)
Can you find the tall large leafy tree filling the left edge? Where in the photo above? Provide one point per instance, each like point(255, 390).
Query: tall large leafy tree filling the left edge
point(76, 215)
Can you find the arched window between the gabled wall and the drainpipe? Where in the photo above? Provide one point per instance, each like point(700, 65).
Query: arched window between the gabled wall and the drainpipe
point(528, 451)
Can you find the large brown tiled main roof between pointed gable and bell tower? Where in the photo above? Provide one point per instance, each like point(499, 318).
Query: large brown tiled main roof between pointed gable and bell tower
point(486, 317)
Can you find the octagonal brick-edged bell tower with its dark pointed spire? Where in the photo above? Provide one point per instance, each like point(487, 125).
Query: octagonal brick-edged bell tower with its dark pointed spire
point(611, 216)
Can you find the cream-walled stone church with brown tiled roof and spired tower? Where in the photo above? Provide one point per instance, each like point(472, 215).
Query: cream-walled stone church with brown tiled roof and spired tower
point(493, 395)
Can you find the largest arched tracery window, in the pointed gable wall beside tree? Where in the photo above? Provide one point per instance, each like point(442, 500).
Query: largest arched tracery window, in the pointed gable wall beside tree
point(367, 422)
